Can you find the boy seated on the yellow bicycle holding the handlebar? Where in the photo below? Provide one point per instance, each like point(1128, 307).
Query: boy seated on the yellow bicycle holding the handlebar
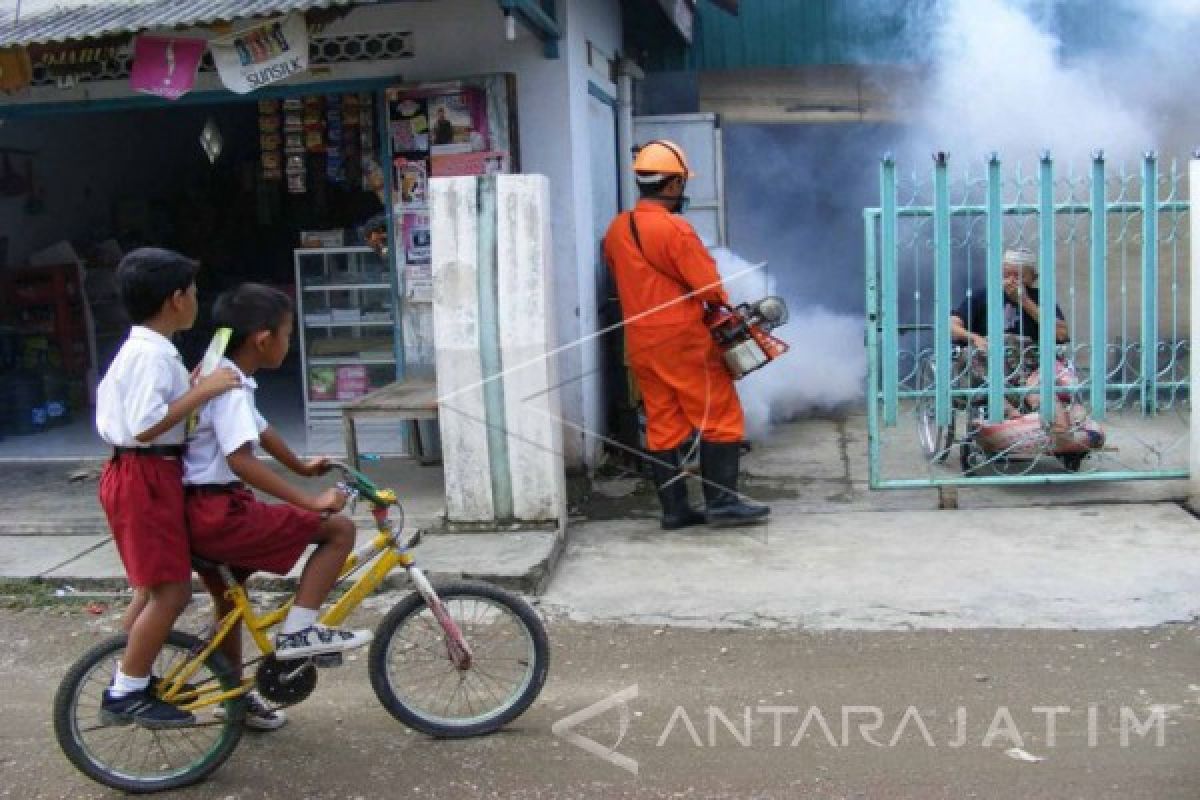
point(229, 525)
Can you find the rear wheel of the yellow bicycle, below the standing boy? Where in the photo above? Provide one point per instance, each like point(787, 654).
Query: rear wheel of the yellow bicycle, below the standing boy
point(133, 759)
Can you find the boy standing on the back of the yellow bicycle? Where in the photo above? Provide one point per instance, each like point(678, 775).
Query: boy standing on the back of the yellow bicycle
point(142, 406)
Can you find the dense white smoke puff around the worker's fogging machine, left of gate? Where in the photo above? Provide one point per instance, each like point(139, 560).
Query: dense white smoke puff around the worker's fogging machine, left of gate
point(825, 370)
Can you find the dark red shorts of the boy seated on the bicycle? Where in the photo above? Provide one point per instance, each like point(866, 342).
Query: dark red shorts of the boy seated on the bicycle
point(236, 528)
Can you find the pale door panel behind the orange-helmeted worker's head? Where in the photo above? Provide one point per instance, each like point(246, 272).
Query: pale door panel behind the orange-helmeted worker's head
point(700, 136)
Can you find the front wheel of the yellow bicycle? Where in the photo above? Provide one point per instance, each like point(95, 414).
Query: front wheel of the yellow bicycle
point(418, 683)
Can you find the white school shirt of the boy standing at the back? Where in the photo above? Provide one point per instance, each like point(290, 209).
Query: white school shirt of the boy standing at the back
point(147, 376)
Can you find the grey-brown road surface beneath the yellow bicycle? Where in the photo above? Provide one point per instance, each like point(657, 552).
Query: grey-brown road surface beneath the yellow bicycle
point(713, 714)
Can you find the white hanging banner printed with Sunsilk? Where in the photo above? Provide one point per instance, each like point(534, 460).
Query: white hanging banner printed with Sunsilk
point(265, 55)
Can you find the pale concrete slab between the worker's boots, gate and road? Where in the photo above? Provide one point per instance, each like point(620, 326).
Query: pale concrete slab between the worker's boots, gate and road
point(1093, 567)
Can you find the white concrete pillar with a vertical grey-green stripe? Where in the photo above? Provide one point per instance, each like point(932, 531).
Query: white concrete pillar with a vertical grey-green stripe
point(494, 328)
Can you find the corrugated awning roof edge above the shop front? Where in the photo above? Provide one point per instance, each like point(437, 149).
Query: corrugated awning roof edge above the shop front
point(97, 19)
